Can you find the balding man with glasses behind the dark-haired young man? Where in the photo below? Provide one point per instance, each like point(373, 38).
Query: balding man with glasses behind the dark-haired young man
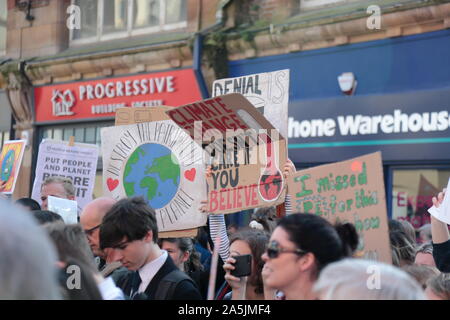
point(90, 220)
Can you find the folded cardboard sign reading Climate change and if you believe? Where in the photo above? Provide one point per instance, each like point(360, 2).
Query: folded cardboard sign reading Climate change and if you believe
point(244, 176)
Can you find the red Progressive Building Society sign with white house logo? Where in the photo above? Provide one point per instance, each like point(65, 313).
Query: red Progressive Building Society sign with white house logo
point(101, 98)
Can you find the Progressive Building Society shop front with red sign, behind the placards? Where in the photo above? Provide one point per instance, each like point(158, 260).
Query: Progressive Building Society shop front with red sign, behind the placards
point(82, 108)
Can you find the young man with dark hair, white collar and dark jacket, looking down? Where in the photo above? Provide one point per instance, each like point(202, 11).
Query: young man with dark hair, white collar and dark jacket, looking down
point(129, 234)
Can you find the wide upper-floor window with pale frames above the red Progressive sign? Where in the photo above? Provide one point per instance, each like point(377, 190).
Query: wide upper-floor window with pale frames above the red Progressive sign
point(111, 19)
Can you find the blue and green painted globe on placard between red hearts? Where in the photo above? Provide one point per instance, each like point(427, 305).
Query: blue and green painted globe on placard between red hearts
point(152, 171)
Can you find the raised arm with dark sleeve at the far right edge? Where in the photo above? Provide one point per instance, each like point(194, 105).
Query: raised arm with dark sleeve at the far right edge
point(441, 238)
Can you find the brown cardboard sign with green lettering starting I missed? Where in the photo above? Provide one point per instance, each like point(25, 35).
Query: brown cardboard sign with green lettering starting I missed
point(348, 191)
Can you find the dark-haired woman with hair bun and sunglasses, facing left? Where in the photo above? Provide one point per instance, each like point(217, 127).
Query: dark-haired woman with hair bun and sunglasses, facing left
point(299, 248)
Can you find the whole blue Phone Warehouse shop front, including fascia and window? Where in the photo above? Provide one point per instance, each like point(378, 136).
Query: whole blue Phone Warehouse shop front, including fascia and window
point(398, 103)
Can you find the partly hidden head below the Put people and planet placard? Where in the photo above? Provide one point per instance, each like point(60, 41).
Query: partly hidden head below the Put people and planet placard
point(56, 186)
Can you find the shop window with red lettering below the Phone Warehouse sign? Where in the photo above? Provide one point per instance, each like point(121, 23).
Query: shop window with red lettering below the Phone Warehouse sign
point(412, 193)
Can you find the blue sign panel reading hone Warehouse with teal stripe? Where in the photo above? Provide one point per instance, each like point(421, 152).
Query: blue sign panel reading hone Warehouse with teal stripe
point(404, 126)
